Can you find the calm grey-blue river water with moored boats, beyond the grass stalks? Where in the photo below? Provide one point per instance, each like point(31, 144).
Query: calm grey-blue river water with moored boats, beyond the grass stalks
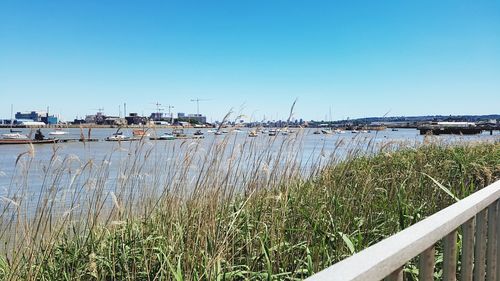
point(308, 147)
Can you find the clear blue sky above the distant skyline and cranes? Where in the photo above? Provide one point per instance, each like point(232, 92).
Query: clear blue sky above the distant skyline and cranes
point(361, 58)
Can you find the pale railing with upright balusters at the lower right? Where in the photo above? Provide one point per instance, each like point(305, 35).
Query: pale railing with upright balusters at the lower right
point(479, 217)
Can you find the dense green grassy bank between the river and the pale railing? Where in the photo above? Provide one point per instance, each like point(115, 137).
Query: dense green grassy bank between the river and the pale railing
point(288, 228)
